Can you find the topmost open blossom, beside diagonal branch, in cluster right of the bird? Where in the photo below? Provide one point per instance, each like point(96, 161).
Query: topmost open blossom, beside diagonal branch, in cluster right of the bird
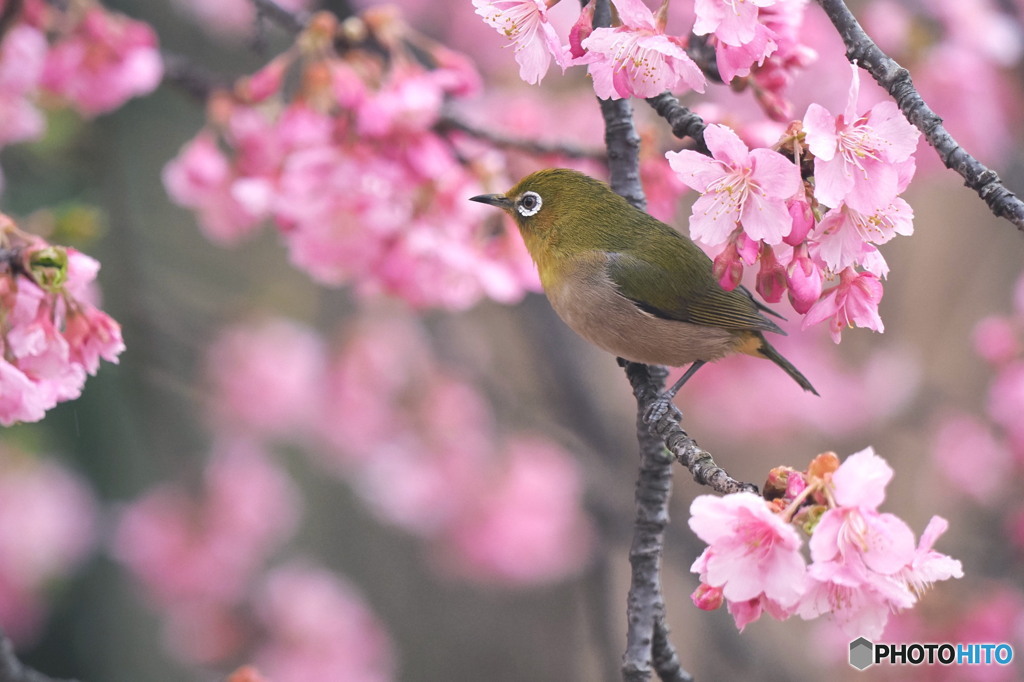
point(859, 159)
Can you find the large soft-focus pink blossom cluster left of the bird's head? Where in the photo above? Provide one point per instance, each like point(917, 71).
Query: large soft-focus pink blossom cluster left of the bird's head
point(353, 169)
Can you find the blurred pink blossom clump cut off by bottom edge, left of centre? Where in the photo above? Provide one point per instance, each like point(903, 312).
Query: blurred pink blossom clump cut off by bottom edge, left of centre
point(319, 628)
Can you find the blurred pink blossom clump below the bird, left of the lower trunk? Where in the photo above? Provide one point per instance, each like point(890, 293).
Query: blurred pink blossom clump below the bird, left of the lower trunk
point(528, 526)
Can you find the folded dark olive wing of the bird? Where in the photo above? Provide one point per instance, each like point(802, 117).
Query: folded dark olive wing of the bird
point(655, 290)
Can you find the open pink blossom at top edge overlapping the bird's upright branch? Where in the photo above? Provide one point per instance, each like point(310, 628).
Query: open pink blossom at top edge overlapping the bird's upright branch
point(637, 59)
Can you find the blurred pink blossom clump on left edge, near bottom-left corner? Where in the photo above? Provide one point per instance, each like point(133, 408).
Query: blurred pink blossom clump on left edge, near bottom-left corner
point(48, 527)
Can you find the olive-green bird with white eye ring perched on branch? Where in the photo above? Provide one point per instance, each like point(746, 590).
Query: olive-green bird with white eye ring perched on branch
point(631, 284)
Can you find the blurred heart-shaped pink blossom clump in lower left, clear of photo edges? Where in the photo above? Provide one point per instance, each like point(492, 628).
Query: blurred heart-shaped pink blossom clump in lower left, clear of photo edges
point(188, 549)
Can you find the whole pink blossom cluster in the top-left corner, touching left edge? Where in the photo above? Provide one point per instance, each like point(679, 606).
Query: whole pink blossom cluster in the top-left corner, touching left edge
point(77, 55)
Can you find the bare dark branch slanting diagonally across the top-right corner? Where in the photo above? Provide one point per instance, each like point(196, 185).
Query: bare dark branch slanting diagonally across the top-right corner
point(897, 80)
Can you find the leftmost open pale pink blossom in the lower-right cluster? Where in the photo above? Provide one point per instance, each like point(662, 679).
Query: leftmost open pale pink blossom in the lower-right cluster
point(752, 552)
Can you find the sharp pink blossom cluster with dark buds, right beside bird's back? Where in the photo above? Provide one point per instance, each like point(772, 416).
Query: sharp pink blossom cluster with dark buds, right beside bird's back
point(756, 207)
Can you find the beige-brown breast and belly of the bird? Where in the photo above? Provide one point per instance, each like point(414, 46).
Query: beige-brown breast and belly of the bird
point(589, 303)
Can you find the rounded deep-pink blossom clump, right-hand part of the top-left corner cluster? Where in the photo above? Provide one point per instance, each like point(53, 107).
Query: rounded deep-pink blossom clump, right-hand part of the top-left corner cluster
point(105, 61)
